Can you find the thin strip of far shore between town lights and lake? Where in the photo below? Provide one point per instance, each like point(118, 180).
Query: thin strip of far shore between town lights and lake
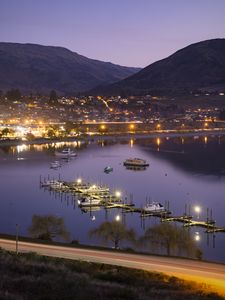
point(115, 136)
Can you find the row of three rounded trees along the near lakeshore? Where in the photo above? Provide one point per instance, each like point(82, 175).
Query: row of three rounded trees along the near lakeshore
point(163, 238)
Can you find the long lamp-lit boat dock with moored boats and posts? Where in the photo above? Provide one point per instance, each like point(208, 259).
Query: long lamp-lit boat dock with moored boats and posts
point(101, 197)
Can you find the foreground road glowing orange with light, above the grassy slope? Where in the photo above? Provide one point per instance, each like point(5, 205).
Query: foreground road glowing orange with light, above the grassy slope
point(203, 272)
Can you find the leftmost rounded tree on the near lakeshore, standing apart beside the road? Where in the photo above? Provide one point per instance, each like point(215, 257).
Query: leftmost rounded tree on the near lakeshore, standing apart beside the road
point(48, 227)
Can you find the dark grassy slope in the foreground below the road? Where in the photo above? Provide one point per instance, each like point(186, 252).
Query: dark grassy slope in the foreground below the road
point(31, 276)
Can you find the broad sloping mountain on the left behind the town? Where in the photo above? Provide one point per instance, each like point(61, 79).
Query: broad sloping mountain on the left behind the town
point(36, 68)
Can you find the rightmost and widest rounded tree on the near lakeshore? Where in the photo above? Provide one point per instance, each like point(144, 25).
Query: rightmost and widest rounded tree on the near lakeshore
point(170, 238)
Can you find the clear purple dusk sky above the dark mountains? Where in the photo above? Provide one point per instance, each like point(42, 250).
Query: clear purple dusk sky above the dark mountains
point(126, 32)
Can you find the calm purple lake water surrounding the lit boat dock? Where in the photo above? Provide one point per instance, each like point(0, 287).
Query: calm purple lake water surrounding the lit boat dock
point(182, 171)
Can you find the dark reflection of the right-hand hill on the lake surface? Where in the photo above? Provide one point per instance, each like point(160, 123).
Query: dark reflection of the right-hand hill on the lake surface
point(205, 157)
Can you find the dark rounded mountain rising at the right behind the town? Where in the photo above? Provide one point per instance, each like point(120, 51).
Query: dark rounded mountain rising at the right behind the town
point(198, 66)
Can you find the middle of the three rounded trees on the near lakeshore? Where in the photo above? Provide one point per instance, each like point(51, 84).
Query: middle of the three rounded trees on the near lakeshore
point(115, 232)
